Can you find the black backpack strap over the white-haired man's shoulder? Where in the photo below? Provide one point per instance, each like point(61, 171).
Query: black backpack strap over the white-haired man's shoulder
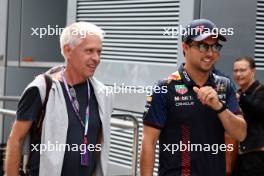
point(37, 125)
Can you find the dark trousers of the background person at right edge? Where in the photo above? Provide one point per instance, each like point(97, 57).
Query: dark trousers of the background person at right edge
point(249, 164)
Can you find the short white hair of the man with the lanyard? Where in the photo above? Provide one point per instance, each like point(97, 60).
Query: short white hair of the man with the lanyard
point(74, 33)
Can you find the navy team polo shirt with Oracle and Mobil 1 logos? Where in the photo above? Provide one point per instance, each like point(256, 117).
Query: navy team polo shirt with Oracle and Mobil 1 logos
point(191, 141)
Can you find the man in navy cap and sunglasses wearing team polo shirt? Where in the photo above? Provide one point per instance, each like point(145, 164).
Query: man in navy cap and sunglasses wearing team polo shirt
point(190, 119)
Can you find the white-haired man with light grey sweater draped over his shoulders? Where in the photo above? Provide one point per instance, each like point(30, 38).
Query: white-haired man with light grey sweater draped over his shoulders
point(75, 136)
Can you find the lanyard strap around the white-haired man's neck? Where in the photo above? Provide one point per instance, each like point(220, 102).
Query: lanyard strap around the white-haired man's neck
point(75, 105)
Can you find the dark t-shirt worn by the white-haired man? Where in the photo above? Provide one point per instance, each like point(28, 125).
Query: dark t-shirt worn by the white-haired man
point(28, 108)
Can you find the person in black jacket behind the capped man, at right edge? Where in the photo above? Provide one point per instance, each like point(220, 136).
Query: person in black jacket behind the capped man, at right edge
point(250, 161)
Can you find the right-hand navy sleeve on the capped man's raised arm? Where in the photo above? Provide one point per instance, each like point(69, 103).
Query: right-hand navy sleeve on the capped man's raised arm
point(231, 101)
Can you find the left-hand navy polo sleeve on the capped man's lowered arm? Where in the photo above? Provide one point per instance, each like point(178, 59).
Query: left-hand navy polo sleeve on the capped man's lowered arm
point(155, 114)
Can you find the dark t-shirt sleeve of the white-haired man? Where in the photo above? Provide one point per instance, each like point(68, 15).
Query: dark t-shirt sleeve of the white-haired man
point(29, 105)
